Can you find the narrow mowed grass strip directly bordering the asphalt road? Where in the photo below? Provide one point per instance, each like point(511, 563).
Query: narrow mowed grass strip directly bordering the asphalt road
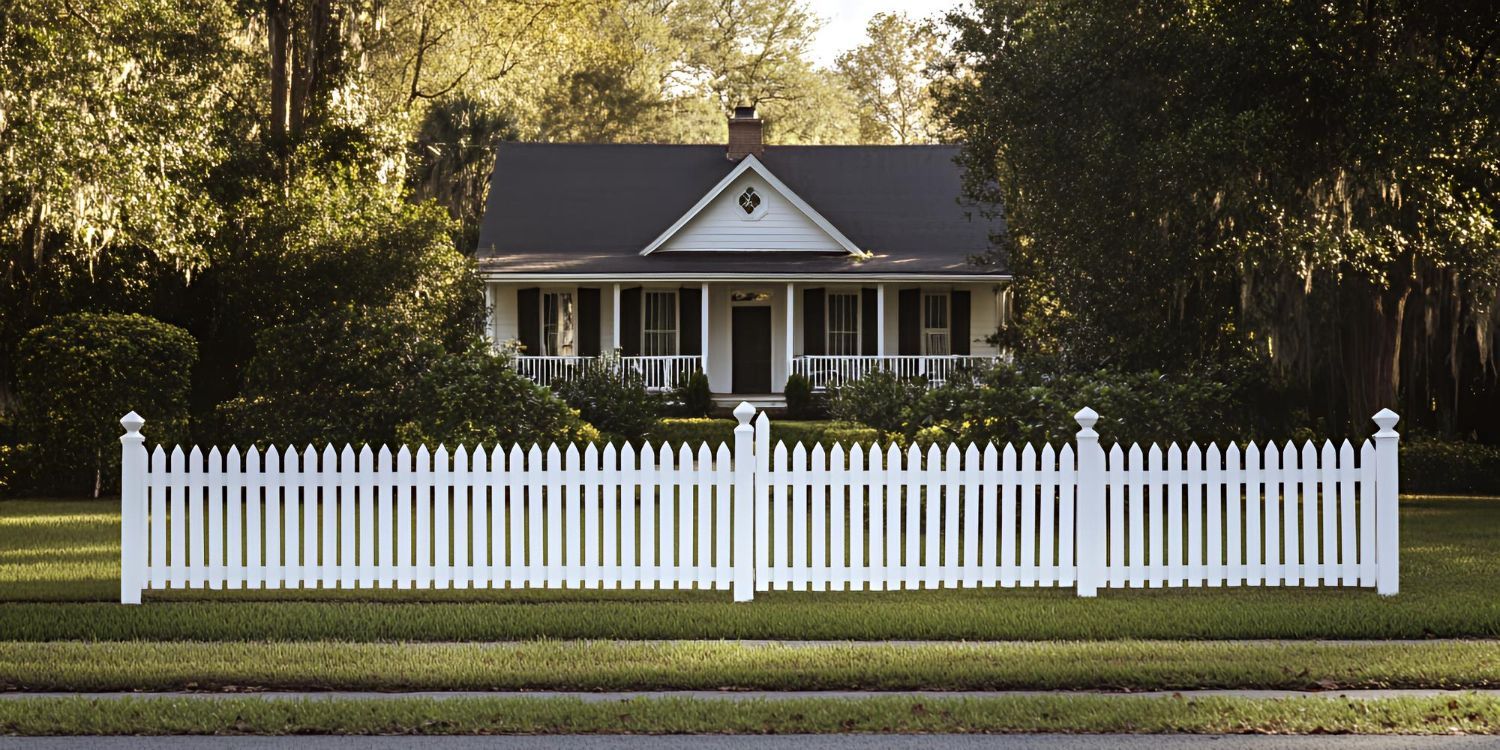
point(524, 716)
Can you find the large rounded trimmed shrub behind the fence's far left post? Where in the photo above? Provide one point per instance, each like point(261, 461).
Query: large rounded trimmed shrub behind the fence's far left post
point(79, 374)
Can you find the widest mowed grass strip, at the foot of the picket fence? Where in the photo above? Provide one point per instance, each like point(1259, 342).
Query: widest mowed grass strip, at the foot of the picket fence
point(59, 562)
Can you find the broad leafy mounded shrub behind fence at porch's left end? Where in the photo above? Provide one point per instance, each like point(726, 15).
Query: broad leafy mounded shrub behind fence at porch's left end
point(476, 398)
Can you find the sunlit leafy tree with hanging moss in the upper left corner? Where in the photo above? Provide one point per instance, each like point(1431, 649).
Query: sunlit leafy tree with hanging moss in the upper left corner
point(109, 118)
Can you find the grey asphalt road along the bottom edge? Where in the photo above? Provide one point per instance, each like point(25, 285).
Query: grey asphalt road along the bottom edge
point(760, 743)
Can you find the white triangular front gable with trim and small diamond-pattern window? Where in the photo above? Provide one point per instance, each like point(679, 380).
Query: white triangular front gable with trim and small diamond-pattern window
point(752, 211)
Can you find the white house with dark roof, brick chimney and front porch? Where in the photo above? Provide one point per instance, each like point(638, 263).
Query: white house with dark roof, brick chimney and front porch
point(748, 262)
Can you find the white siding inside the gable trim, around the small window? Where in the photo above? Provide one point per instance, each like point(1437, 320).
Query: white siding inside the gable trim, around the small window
point(722, 226)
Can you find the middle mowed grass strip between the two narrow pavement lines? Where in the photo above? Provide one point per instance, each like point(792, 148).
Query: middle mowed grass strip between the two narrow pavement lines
point(1132, 665)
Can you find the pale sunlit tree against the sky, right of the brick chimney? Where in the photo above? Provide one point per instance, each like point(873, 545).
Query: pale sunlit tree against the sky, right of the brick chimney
point(890, 77)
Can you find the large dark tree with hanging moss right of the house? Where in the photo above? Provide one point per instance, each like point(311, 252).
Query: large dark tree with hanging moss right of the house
point(1307, 184)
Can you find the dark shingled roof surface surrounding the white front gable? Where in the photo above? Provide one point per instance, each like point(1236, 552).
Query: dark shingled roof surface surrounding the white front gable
point(593, 209)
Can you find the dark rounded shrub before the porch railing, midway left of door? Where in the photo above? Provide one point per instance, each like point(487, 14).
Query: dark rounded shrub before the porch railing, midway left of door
point(613, 398)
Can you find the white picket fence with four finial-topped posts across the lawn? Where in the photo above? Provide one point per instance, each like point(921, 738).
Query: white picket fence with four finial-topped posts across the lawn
point(755, 518)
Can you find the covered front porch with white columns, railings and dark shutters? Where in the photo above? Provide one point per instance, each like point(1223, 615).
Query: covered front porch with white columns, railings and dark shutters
point(749, 335)
